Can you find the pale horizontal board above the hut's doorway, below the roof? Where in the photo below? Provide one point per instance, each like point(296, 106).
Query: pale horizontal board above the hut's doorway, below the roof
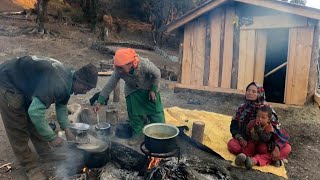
point(277, 21)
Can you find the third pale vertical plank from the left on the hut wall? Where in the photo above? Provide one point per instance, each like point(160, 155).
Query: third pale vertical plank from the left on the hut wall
point(215, 22)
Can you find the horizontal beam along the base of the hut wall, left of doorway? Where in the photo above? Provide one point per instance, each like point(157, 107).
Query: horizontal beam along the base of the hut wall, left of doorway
point(210, 89)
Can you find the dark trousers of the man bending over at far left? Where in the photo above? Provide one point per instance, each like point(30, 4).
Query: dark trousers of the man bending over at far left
point(20, 129)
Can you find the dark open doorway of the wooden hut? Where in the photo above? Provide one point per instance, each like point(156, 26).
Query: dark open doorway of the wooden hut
point(277, 54)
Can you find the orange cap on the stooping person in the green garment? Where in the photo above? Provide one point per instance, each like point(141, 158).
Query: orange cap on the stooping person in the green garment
point(125, 56)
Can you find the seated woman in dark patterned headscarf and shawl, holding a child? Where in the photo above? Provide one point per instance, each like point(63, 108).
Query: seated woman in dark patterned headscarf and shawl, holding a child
point(255, 98)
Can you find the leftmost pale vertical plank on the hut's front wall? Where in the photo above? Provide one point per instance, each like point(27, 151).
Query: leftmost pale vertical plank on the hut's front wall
point(187, 54)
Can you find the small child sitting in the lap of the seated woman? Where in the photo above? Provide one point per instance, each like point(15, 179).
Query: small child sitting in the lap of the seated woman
point(260, 142)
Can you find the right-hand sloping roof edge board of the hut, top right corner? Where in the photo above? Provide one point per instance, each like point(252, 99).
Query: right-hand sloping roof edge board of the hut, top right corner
point(285, 7)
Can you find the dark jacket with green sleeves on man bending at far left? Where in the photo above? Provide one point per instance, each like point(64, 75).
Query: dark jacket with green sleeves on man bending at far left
point(43, 81)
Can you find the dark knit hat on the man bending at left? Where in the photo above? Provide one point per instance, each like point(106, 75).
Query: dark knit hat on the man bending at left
point(87, 75)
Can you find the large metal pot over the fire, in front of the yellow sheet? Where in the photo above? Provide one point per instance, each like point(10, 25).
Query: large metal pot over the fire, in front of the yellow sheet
point(160, 137)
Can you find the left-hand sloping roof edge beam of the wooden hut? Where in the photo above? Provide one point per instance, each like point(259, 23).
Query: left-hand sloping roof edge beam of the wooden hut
point(192, 15)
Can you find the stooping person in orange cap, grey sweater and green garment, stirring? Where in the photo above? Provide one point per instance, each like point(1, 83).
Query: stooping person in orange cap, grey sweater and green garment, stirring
point(142, 80)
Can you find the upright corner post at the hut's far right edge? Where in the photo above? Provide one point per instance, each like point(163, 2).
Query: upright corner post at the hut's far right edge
point(313, 75)
